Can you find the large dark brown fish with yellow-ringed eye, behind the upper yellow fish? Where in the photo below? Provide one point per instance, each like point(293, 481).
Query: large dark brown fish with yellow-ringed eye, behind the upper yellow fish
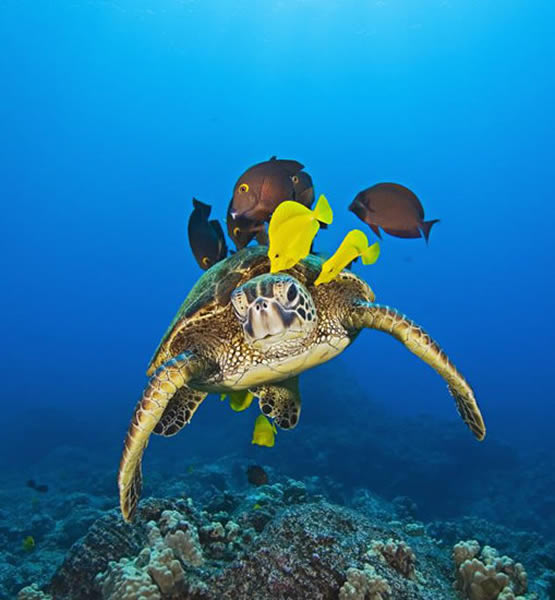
point(262, 187)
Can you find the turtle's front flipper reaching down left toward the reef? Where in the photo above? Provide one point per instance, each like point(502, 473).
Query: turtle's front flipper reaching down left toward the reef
point(161, 388)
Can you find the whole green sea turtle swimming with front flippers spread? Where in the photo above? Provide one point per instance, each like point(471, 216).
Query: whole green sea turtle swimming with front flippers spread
point(241, 328)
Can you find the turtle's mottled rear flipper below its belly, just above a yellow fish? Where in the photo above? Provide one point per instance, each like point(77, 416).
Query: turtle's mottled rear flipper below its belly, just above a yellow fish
point(280, 401)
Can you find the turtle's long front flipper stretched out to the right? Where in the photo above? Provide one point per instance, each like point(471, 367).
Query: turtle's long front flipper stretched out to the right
point(383, 318)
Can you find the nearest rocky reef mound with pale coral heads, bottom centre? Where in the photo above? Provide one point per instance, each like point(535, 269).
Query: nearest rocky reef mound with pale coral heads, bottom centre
point(307, 548)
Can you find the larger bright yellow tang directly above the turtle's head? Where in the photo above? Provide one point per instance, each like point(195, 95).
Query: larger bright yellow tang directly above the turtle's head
point(291, 231)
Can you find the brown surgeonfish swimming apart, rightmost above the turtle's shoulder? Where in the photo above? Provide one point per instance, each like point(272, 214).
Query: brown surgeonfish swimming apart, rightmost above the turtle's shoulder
point(393, 208)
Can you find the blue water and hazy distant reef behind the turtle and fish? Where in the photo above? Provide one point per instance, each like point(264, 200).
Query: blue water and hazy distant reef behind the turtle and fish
point(114, 114)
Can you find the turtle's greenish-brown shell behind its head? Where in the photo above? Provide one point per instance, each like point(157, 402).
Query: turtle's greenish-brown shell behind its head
point(212, 292)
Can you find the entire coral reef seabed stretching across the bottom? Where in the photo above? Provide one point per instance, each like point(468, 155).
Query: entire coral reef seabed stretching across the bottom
point(231, 540)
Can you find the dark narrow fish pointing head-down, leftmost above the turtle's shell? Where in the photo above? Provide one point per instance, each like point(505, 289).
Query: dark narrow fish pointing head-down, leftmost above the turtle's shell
point(206, 238)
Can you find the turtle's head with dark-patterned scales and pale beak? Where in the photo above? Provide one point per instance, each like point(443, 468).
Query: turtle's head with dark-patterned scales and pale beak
point(276, 311)
